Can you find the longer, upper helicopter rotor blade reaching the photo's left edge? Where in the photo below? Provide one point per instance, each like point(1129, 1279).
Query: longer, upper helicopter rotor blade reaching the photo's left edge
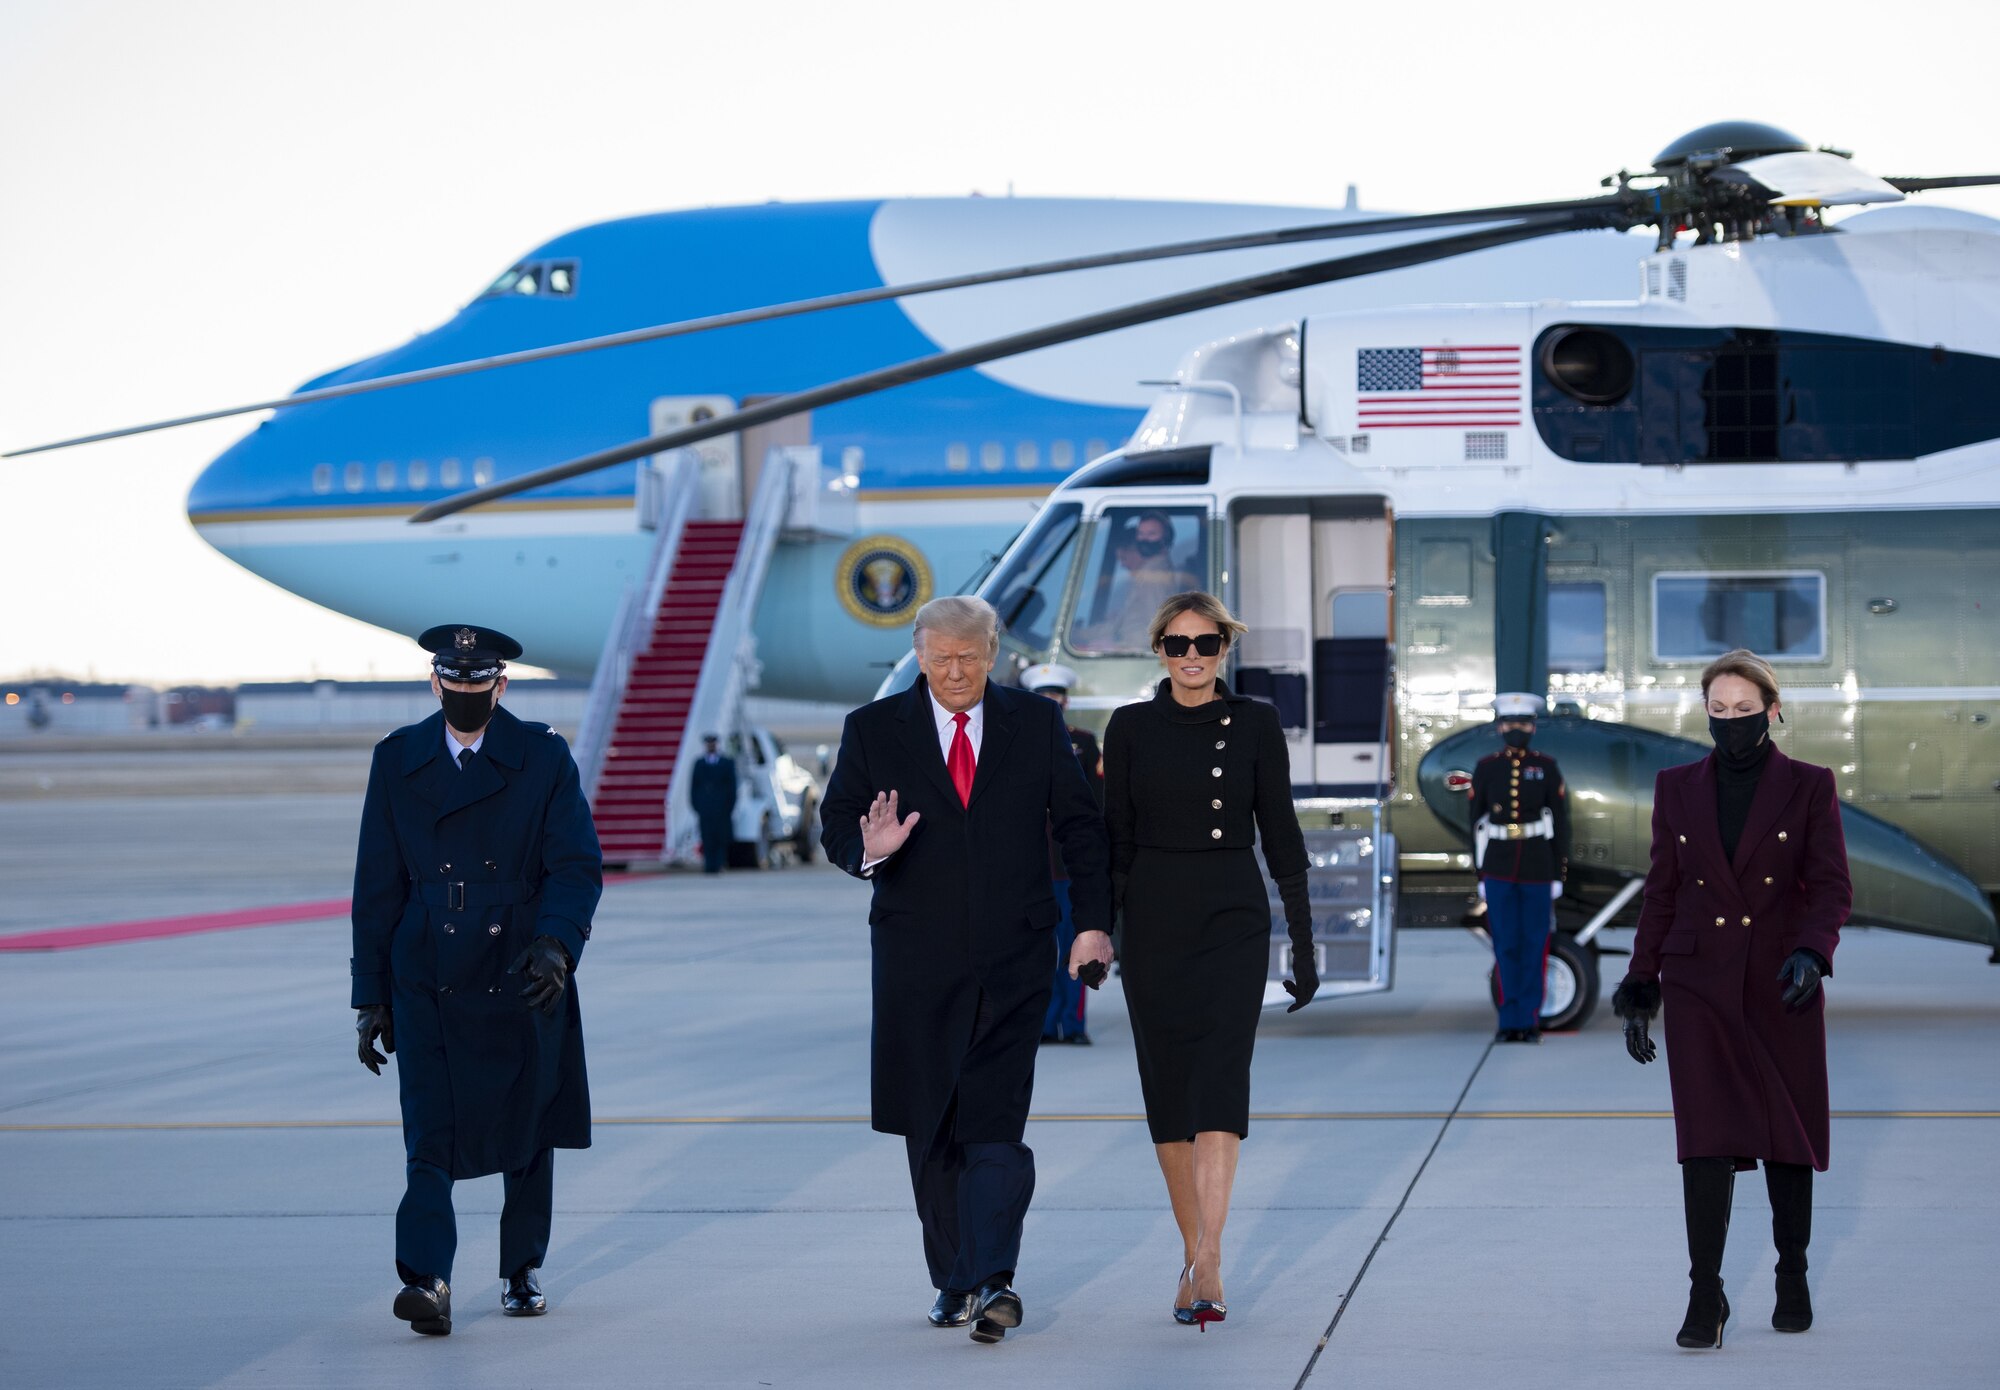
point(849, 299)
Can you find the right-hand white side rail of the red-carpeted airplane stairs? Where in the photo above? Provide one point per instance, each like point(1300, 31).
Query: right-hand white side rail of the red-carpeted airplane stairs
point(729, 663)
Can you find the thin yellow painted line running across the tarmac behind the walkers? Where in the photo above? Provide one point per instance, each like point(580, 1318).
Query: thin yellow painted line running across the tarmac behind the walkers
point(697, 1121)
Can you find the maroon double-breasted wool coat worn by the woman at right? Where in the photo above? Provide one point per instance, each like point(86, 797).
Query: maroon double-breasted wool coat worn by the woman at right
point(1749, 1077)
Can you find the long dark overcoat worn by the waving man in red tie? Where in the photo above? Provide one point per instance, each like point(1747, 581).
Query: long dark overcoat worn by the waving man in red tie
point(967, 905)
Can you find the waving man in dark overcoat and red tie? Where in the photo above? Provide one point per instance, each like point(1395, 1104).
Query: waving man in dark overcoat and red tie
point(945, 799)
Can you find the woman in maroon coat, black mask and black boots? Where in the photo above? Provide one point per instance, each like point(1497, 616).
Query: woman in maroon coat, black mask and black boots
point(1745, 903)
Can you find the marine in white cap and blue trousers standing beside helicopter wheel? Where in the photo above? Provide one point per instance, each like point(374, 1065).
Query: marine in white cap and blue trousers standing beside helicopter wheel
point(1521, 835)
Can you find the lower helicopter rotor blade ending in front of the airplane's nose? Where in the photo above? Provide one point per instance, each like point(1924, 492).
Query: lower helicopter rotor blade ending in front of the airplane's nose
point(1013, 345)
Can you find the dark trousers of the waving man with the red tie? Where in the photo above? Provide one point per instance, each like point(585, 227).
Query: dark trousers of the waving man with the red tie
point(973, 1199)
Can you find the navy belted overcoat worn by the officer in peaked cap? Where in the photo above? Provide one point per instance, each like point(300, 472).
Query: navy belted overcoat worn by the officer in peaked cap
point(459, 869)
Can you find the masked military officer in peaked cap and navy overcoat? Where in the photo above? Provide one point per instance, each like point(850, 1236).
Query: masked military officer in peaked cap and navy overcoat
point(475, 885)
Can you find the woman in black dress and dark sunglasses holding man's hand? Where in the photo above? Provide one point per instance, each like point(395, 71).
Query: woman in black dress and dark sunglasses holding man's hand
point(1191, 781)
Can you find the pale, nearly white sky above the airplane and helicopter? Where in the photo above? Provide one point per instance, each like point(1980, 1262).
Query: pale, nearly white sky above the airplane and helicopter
point(205, 203)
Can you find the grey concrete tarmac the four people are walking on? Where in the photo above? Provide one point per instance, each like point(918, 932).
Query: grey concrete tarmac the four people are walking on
point(197, 1179)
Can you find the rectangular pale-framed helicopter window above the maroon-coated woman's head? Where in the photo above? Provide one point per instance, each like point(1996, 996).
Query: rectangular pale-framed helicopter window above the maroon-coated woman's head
point(1779, 617)
